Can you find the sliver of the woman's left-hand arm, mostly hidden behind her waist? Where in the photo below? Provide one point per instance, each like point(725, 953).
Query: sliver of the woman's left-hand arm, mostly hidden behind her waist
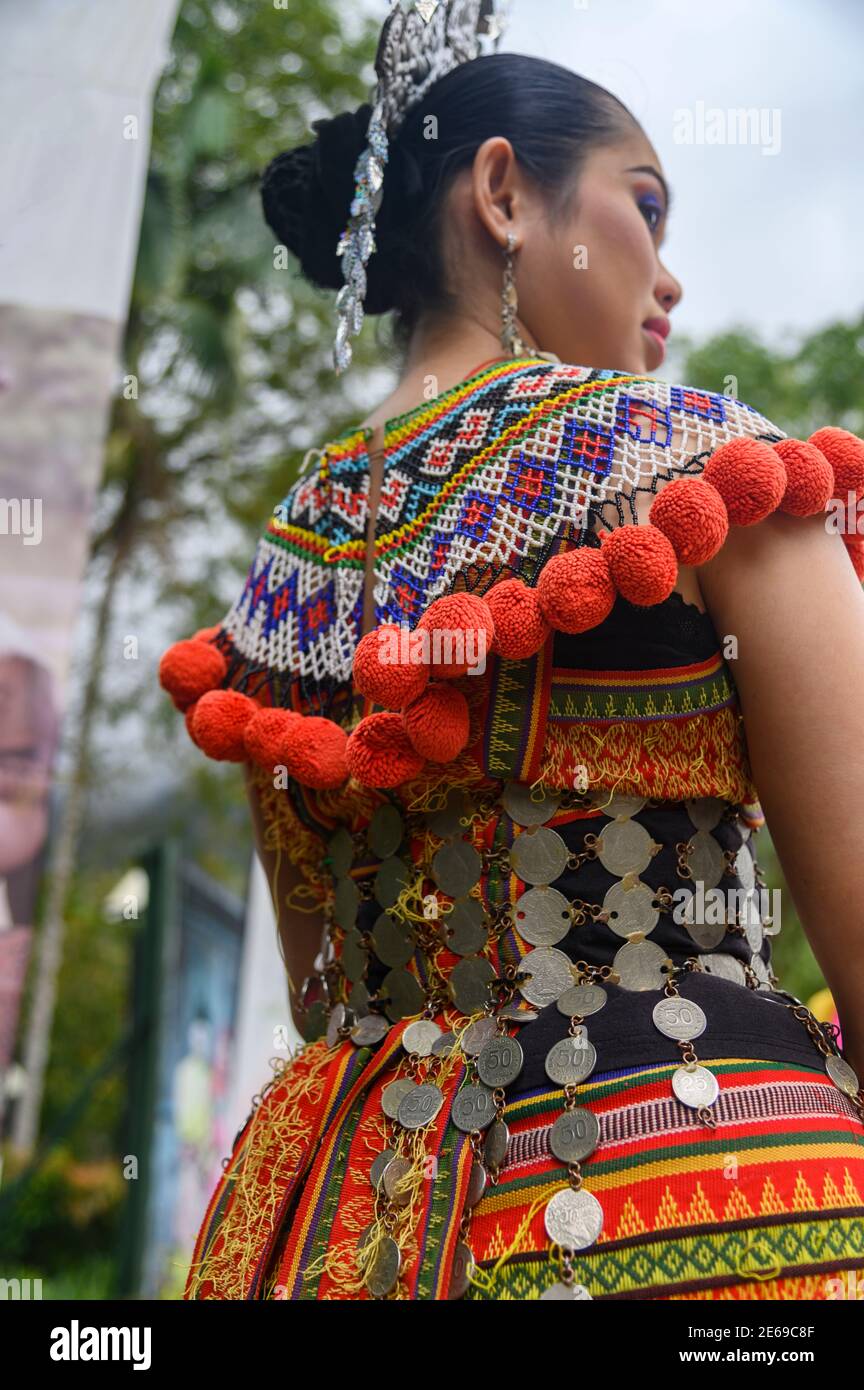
point(301, 932)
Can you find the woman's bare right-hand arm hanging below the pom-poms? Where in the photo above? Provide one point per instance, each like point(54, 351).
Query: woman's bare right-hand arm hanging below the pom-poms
point(787, 591)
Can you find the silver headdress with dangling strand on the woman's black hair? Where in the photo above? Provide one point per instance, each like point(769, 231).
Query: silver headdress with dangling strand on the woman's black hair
point(420, 42)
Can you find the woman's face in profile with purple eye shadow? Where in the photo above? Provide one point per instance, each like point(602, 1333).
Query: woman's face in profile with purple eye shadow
point(591, 283)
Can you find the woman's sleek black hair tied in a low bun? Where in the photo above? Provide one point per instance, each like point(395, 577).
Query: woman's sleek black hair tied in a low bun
point(551, 116)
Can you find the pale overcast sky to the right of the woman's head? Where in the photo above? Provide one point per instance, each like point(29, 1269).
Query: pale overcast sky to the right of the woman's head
point(766, 240)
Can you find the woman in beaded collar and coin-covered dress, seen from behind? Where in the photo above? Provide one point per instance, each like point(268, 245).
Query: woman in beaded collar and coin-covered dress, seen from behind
point(519, 876)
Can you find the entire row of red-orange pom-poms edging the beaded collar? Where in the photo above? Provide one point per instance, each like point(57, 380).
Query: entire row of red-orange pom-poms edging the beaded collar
point(423, 719)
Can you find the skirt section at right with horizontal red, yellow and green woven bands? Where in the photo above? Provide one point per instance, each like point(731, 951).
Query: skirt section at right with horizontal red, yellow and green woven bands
point(770, 1204)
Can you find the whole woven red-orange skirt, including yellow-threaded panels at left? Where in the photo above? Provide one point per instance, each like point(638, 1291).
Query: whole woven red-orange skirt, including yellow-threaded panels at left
point(769, 1204)
